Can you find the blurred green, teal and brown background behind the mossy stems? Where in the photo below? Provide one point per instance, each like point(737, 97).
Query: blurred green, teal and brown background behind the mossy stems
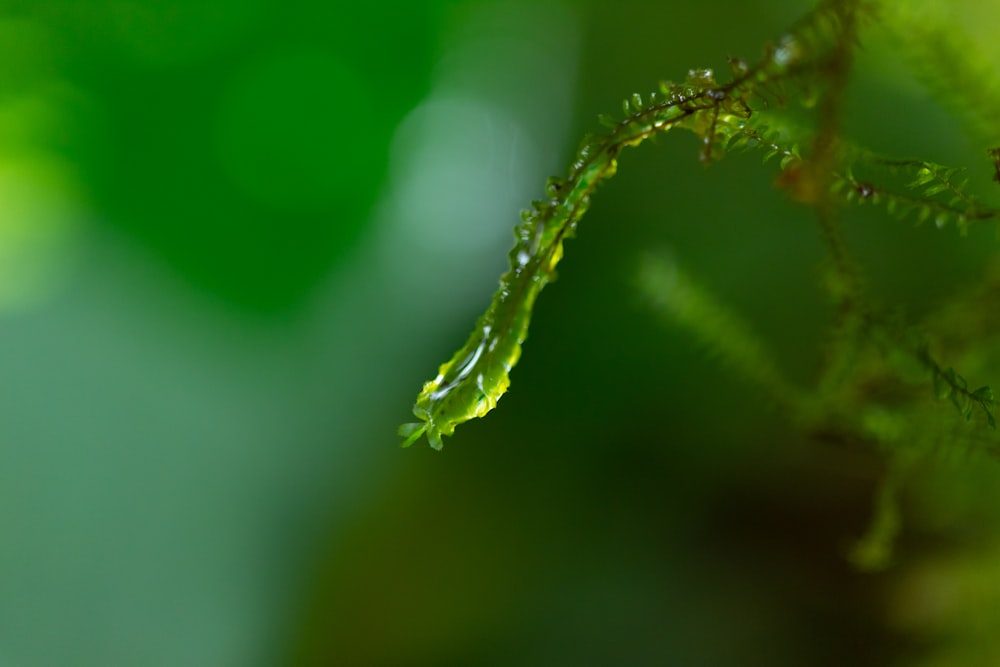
point(235, 238)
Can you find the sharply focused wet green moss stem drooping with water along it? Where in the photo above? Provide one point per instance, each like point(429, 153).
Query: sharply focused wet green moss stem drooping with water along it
point(473, 380)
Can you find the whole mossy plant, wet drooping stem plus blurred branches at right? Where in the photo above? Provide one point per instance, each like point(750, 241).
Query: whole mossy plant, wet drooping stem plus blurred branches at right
point(874, 387)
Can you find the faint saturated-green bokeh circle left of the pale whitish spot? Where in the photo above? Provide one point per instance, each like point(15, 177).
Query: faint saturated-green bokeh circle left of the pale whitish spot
point(295, 131)
